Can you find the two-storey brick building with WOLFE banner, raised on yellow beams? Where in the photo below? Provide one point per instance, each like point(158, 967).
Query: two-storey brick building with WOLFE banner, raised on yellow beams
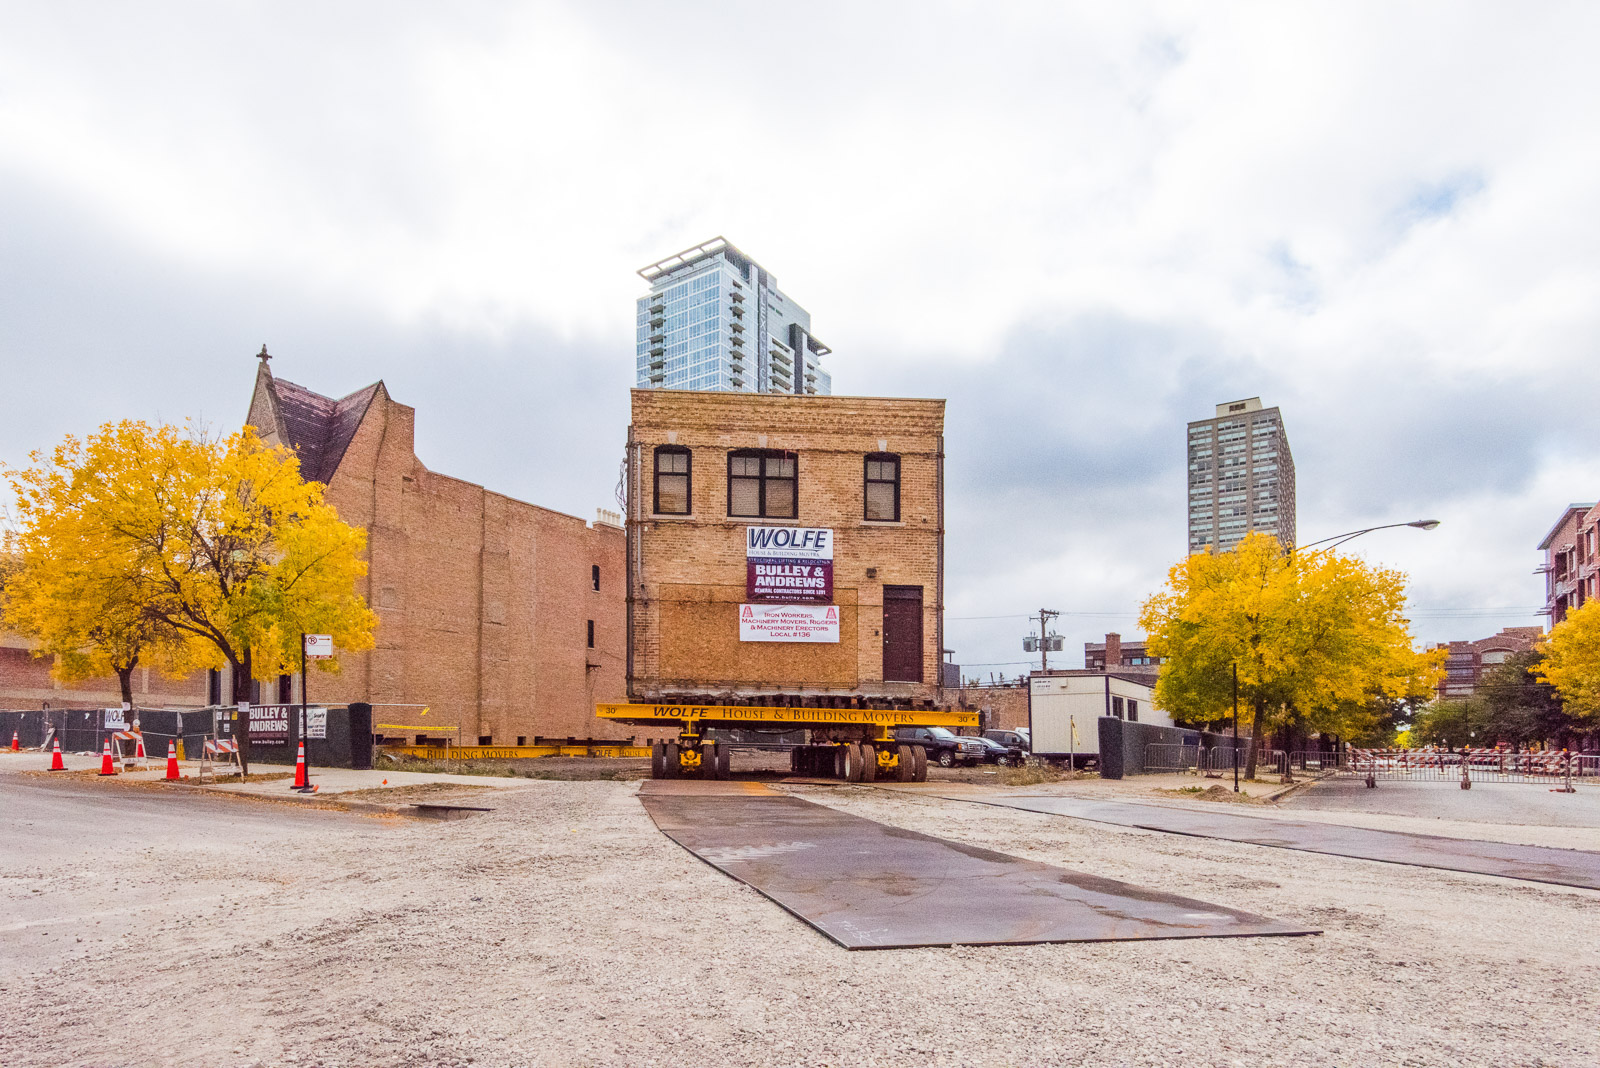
point(714, 477)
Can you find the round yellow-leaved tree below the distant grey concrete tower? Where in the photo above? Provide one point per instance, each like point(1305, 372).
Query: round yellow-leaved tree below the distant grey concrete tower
point(1313, 636)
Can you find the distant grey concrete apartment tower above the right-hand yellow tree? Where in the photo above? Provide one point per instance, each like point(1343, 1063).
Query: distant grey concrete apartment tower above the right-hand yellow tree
point(1241, 477)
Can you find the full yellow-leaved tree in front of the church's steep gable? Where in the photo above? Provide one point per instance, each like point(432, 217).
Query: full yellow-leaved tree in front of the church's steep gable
point(234, 552)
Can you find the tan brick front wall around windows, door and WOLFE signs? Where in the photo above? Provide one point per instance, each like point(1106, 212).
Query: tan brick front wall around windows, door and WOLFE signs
point(690, 572)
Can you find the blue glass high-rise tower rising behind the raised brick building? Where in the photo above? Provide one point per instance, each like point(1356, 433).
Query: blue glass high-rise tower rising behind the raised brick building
point(716, 321)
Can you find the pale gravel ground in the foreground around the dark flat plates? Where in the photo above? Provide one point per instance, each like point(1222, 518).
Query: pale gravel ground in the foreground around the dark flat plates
point(150, 928)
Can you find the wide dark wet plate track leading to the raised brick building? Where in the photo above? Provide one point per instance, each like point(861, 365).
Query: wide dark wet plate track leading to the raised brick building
point(871, 887)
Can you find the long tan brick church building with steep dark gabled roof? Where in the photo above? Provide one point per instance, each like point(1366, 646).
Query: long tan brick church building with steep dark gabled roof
point(505, 620)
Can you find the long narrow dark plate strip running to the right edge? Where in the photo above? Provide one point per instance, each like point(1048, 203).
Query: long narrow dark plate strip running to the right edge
point(1537, 864)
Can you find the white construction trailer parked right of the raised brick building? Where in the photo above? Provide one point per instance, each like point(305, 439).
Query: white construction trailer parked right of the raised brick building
point(1065, 711)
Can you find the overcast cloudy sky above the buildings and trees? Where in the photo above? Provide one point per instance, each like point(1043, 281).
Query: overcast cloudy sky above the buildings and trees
point(1082, 225)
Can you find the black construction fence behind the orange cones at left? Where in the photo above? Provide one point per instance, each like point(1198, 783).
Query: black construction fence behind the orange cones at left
point(342, 736)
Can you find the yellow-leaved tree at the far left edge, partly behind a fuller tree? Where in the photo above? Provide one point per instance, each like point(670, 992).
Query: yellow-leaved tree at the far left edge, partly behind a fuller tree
point(73, 586)
